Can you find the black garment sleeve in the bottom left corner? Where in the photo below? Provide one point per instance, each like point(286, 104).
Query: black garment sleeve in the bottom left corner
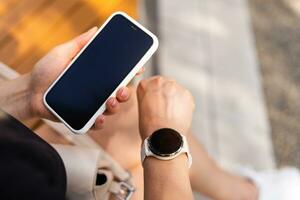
point(29, 167)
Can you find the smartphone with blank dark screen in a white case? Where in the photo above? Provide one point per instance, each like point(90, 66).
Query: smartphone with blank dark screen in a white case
point(109, 61)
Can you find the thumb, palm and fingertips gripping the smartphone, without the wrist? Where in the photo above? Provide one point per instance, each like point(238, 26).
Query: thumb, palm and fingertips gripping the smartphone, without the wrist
point(49, 68)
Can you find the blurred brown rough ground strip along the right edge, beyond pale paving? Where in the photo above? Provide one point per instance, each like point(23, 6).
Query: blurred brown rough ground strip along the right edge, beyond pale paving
point(277, 30)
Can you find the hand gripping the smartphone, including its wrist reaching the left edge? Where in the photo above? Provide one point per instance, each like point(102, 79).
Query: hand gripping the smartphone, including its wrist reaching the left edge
point(23, 97)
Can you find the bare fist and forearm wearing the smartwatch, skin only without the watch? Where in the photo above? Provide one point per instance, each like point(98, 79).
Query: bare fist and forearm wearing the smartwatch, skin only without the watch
point(165, 104)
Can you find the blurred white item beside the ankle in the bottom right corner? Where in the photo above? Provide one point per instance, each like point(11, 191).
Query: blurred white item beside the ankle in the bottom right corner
point(283, 184)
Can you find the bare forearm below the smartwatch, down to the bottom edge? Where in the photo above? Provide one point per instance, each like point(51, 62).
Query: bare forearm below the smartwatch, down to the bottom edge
point(165, 177)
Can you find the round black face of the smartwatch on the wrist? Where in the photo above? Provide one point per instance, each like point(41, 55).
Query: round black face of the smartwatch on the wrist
point(165, 142)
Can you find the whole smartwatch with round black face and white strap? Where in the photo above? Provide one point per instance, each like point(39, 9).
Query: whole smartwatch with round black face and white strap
point(165, 144)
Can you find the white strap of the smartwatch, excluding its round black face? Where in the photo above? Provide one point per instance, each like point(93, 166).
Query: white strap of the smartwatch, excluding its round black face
point(145, 152)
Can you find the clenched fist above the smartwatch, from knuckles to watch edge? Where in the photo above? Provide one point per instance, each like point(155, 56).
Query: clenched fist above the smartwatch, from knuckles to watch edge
point(164, 104)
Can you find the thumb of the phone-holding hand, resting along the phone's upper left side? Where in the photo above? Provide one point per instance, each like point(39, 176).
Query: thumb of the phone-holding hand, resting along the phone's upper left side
point(72, 47)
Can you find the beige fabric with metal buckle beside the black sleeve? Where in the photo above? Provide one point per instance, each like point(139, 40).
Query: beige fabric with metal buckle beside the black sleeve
point(82, 166)
